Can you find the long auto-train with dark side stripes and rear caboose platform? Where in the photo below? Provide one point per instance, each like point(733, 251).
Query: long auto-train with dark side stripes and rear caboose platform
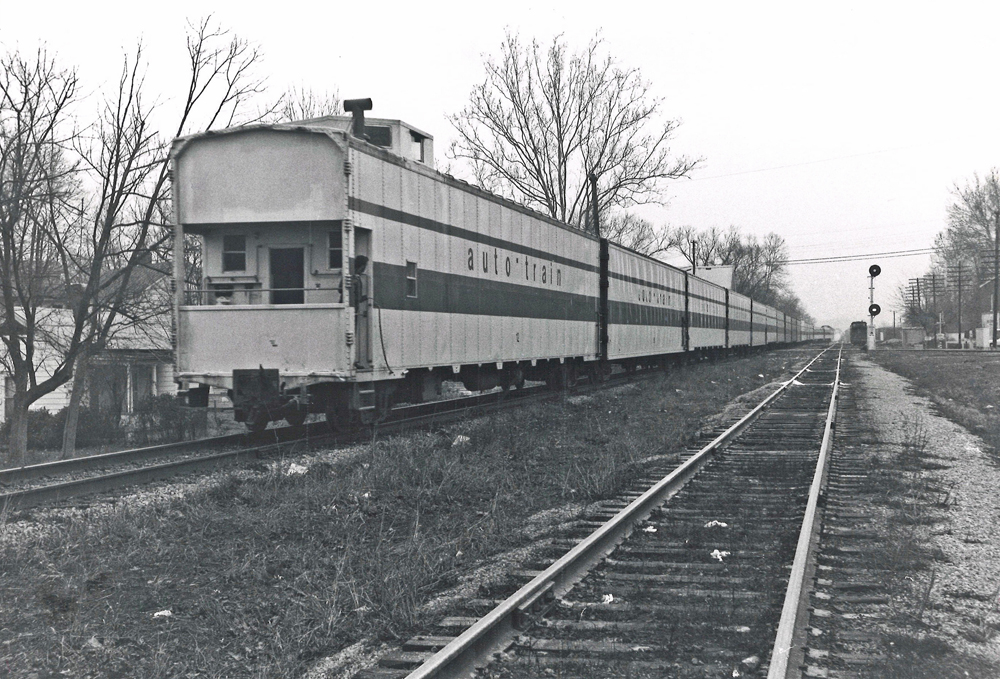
point(341, 271)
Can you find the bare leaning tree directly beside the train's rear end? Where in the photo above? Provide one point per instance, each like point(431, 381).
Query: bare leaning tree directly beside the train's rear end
point(127, 230)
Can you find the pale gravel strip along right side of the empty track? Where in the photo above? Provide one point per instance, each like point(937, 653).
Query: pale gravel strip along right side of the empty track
point(964, 598)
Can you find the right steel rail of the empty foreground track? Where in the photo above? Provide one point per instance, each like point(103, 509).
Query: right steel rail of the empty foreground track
point(793, 607)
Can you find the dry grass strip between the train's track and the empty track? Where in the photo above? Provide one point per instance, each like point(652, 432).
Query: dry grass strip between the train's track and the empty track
point(264, 572)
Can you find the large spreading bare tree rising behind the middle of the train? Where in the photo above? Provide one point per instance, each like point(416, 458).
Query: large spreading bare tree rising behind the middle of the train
point(545, 118)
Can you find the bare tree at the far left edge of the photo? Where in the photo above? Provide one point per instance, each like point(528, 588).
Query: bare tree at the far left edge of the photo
point(36, 181)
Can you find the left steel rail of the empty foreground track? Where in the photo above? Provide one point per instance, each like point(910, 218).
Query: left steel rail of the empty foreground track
point(493, 632)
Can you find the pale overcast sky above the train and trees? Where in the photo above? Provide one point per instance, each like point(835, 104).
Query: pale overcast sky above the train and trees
point(840, 126)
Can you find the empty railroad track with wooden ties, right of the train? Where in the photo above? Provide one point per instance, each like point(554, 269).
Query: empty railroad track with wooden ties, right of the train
point(716, 582)
